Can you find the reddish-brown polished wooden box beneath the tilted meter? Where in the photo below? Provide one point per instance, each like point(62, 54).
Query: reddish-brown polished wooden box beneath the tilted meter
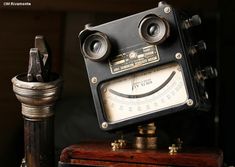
point(101, 154)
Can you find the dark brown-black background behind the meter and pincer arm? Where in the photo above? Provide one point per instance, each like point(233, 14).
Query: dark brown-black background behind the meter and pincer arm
point(60, 22)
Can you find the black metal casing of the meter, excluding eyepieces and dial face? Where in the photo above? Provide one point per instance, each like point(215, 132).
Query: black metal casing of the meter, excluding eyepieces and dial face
point(124, 37)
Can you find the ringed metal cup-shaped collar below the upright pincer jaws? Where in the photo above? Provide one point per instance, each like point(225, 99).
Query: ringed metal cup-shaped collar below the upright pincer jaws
point(37, 98)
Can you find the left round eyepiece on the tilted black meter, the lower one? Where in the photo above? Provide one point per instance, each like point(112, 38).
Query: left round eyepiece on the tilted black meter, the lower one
point(96, 46)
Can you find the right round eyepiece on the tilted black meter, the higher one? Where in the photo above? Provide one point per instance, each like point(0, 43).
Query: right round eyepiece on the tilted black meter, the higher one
point(153, 29)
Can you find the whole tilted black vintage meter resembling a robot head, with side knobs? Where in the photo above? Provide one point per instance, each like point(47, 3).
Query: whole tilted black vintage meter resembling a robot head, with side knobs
point(144, 66)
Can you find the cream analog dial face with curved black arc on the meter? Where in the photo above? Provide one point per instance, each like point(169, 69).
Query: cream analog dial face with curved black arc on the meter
point(144, 93)
